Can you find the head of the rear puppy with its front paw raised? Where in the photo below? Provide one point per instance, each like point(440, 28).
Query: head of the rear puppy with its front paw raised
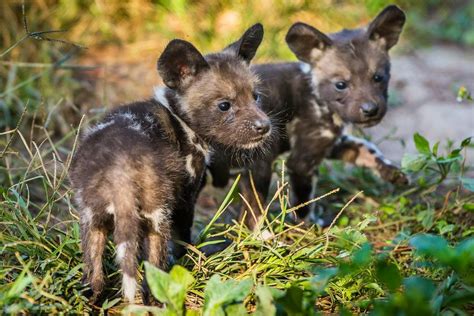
point(351, 69)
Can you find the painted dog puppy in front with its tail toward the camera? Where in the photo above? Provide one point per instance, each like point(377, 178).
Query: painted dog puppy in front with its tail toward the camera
point(137, 173)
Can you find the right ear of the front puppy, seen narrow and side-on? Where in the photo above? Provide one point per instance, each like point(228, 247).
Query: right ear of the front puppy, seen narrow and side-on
point(247, 45)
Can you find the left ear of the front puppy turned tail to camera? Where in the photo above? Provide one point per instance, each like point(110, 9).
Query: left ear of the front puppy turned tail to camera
point(179, 63)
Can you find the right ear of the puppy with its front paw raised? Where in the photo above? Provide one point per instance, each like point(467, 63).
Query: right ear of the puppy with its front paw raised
point(387, 26)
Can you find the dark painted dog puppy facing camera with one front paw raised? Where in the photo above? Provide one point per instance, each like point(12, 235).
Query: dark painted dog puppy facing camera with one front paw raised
point(343, 78)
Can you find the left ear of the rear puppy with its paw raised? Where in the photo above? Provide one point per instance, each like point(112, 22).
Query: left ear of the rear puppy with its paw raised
point(306, 42)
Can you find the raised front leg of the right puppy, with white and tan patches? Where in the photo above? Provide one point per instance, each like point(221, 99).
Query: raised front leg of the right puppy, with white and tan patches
point(363, 153)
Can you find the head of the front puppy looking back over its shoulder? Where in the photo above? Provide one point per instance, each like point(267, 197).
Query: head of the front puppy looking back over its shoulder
point(218, 92)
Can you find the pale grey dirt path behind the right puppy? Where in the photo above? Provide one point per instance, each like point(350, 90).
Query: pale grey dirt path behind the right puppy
point(425, 83)
